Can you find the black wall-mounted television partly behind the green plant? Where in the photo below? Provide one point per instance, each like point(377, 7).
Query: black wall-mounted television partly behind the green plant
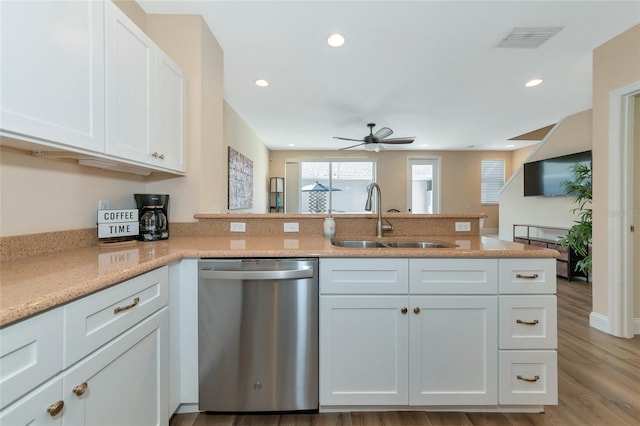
point(545, 177)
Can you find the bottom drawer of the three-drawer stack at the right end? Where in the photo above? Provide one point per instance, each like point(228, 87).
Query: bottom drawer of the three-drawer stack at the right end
point(528, 377)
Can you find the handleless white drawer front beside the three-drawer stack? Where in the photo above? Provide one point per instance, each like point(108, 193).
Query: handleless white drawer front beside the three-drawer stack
point(453, 276)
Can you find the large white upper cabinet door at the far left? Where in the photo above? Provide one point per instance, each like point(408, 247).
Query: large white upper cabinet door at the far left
point(52, 72)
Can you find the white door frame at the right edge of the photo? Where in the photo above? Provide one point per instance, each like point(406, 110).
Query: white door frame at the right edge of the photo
point(620, 238)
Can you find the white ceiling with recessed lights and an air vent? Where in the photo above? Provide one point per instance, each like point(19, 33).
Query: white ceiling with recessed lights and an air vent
point(429, 69)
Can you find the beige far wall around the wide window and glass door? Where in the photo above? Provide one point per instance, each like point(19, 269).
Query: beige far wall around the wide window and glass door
point(460, 176)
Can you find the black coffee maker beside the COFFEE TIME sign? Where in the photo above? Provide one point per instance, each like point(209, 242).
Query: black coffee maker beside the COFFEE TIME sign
point(153, 216)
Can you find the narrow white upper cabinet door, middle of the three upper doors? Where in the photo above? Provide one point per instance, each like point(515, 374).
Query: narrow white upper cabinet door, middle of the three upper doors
point(131, 62)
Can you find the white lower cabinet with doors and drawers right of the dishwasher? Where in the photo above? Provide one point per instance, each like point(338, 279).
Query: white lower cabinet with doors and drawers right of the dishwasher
point(430, 337)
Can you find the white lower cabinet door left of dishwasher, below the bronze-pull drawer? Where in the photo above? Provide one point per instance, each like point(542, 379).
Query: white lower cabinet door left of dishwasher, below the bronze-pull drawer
point(124, 382)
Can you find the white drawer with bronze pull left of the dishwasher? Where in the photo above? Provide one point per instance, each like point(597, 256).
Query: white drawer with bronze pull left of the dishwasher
point(94, 320)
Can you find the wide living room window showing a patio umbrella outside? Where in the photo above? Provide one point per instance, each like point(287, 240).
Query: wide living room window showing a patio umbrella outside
point(348, 181)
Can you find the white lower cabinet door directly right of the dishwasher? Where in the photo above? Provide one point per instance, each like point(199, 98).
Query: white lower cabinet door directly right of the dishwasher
point(363, 350)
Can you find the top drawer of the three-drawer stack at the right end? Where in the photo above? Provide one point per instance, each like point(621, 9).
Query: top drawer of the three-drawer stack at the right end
point(527, 276)
